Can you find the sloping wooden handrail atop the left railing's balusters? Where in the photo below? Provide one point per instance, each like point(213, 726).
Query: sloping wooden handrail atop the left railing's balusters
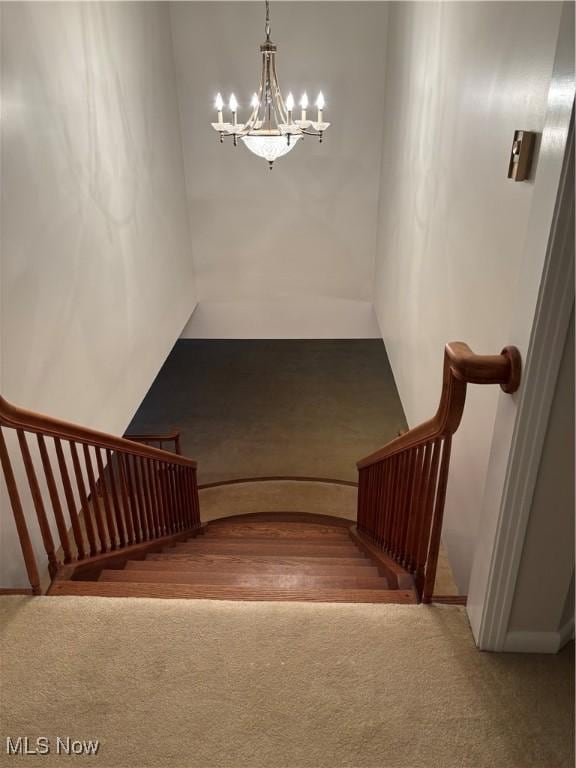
point(19, 418)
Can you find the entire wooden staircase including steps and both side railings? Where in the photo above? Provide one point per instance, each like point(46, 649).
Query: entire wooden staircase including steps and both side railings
point(120, 517)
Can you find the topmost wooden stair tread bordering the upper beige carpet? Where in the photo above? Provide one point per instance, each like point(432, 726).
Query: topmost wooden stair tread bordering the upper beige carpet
point(220, 592)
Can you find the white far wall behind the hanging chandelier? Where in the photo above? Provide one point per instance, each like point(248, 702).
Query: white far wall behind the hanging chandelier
point(288, 252)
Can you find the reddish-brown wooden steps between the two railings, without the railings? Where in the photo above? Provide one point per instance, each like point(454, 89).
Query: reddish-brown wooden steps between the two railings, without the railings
point(278, 556)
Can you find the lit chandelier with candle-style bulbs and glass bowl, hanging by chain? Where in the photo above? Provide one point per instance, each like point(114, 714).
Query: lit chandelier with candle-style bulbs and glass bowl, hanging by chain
point(271, 130)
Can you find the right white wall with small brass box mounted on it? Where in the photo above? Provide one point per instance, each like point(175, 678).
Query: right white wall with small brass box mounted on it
point(460, 78)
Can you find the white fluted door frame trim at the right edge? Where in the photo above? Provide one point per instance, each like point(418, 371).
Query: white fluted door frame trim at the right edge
point(541, 315)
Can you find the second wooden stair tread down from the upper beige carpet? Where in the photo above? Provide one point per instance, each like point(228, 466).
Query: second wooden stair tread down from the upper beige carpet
point(255, 580)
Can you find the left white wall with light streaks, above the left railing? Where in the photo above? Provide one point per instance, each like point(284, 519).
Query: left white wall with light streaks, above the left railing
point(97, 279)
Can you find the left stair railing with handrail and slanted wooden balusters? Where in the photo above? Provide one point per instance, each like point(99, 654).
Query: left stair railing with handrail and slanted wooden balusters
point(99, 493)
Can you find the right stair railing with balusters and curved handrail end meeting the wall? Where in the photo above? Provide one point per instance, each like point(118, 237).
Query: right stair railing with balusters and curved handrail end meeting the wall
point(402, 487)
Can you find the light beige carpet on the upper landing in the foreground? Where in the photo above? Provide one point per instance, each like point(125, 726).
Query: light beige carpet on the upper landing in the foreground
point(202, 684)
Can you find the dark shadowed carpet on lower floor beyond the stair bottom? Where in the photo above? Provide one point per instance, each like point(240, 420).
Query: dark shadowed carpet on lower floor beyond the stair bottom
point(266, 408)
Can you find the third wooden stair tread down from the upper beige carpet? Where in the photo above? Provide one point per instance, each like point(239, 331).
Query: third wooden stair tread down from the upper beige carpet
point(252, 567)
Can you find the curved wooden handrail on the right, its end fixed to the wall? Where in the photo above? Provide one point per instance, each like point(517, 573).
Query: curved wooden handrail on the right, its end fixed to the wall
point(461, 367)
